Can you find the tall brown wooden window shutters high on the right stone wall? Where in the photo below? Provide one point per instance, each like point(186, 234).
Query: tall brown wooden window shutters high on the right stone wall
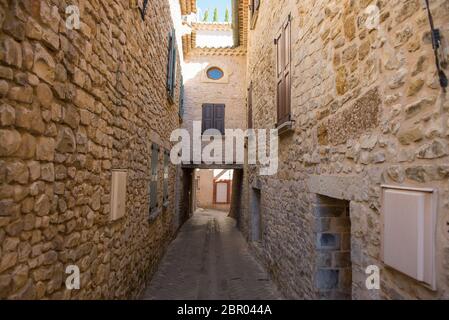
point(283, 47)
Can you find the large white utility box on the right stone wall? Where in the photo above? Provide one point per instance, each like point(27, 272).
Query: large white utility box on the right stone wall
point(408, 232)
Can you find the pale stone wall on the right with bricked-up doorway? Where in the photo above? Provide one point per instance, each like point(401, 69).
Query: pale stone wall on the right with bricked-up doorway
point(368, 110)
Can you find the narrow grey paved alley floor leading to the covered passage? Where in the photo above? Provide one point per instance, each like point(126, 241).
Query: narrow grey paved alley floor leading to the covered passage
point(210, 260)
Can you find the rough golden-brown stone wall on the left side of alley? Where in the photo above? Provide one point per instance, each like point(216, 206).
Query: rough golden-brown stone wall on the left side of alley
point(76, 104)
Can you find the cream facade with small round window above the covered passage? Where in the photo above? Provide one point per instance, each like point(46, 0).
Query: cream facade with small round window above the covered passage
point(215, 52)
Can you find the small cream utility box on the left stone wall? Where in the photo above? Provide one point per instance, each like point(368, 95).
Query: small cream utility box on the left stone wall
point(118, 194)
